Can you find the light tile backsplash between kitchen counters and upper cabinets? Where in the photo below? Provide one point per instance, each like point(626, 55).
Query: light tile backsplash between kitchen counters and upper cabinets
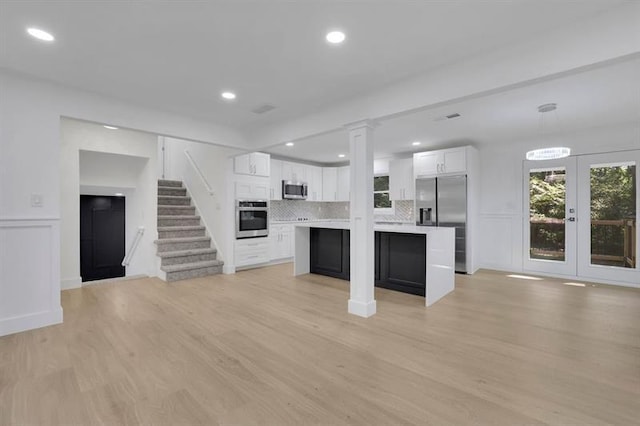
point(312, 210)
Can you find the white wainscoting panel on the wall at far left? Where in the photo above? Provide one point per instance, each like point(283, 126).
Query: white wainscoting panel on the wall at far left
point(29, 274)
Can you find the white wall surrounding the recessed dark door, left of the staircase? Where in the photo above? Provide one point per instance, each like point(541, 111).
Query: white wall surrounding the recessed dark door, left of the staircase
point(95, 157)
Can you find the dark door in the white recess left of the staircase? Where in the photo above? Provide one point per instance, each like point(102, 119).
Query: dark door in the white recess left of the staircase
point(102, 233)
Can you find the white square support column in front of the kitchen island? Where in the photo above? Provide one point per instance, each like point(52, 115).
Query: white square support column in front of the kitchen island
point(362, 301)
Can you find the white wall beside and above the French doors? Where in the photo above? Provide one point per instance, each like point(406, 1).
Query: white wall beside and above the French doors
point(501, 187)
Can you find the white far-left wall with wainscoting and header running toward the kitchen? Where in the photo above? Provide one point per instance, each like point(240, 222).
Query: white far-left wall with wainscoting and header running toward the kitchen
point(30, 160)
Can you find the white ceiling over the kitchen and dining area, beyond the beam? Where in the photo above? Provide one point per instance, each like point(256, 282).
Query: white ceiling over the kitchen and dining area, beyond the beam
point(598, 97)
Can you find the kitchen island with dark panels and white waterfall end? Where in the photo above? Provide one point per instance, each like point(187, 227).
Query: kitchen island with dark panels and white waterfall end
point(412, 259)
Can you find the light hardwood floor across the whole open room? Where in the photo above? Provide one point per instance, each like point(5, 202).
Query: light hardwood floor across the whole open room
point(263, 347)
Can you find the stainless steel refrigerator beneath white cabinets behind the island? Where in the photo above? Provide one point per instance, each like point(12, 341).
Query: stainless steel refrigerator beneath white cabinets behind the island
point(442, 201)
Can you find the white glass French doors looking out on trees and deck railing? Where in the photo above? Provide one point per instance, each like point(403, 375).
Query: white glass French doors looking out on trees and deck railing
point(581, 217)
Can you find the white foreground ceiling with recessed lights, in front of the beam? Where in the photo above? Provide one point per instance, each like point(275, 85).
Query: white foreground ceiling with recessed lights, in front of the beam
point(179, 56)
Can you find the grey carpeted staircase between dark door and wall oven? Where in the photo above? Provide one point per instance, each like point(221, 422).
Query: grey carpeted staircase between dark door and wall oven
point(183, 247)
